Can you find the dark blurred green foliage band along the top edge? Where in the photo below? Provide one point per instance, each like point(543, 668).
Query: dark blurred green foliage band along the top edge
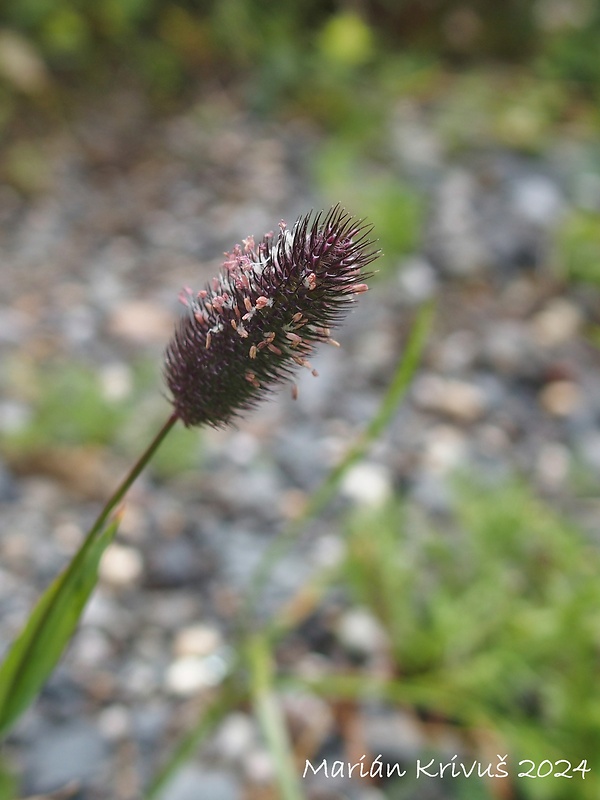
point(281, 50)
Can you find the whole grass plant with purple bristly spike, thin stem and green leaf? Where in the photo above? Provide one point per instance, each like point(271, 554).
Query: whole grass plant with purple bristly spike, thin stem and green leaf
point(256, 323)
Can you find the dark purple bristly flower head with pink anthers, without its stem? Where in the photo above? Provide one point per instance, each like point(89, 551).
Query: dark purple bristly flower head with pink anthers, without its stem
point(260, 319)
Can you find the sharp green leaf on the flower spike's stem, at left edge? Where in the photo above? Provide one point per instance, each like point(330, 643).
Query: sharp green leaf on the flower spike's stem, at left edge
point(49, 628)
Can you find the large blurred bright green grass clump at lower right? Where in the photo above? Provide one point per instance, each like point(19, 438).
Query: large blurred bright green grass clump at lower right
point(492, 620)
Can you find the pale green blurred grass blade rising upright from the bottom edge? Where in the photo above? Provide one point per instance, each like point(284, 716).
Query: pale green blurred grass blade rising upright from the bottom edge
point(270, 717)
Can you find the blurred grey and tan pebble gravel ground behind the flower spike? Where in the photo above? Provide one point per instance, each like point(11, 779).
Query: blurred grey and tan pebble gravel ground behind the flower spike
point(129, 210)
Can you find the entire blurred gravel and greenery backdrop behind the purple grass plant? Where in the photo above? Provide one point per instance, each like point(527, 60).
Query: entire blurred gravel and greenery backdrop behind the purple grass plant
point(446, 600)
